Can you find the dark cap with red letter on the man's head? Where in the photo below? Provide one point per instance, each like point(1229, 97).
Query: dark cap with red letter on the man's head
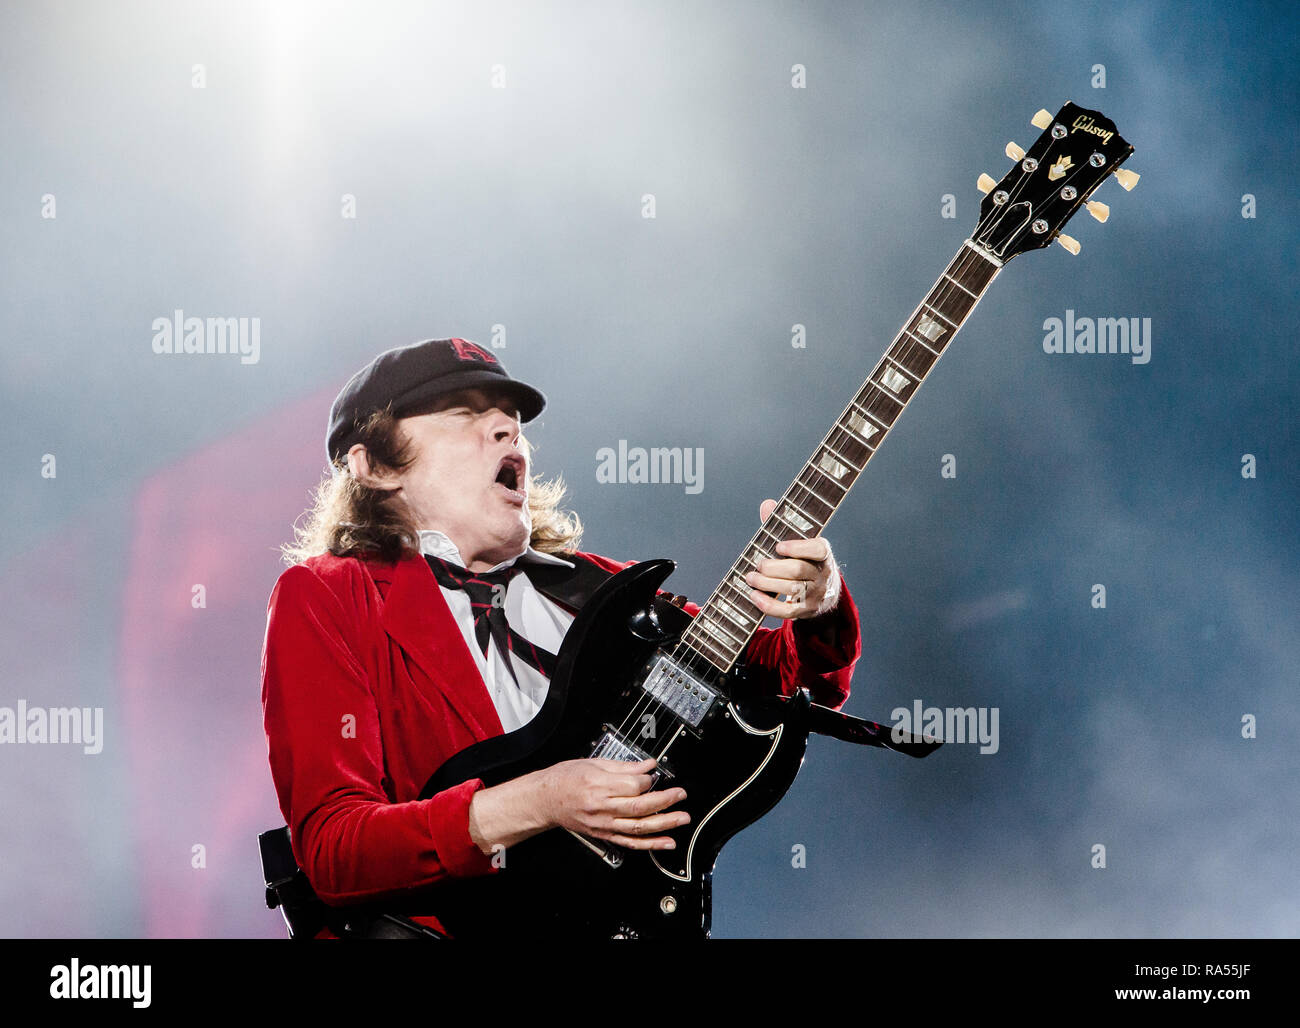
point(413, 378)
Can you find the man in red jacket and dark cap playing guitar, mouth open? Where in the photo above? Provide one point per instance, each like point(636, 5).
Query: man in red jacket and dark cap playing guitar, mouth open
point(408, 628)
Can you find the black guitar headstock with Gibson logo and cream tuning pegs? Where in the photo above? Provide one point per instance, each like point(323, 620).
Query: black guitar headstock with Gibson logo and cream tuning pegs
point(1051, 181)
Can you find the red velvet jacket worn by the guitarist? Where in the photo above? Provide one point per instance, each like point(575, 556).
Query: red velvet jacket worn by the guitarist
point(367, 688)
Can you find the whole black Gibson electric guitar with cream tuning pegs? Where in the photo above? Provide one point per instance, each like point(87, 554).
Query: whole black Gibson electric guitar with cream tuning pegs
point(639, 678)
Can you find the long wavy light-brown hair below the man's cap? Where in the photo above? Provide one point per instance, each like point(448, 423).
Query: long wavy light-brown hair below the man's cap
point(350, 519)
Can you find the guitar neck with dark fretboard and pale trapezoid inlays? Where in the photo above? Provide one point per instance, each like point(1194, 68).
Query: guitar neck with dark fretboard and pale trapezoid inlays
point(729, 619)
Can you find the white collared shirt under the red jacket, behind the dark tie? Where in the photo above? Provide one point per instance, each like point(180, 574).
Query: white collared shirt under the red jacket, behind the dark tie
point(536, 618)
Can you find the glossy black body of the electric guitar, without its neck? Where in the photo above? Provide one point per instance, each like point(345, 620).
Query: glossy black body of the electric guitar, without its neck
point(736, 760)
